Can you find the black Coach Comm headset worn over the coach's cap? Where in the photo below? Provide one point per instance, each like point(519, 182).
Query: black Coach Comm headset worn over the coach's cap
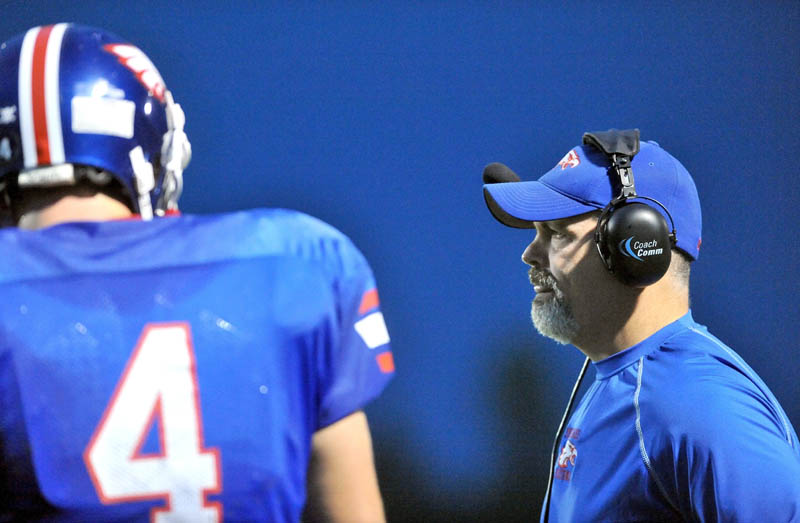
point(632, 238)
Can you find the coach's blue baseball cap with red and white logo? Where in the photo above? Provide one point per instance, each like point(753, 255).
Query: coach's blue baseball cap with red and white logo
point(581, 183)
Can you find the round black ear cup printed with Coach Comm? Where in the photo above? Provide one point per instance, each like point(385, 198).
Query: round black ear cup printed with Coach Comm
point(634, 242)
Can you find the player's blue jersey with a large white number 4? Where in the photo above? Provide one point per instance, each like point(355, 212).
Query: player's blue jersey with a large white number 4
point(177, 369)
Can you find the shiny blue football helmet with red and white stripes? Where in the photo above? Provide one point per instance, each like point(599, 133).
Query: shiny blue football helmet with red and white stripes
point(75, 96)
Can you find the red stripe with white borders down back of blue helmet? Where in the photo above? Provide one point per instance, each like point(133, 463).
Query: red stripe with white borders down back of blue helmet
point(40, 108)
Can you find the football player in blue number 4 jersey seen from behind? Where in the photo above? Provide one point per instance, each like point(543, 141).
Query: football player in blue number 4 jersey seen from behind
point(152, 364)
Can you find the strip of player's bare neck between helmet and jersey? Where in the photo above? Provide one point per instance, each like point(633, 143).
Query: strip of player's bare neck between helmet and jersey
point(98, 207)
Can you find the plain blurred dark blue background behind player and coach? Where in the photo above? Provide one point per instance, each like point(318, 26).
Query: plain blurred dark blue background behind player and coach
point(379, 118)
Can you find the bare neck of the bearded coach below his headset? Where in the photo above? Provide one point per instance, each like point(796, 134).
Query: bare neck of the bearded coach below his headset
point(654, 308)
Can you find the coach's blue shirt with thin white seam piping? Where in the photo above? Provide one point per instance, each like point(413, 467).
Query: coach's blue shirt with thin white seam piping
point(677, 428)
